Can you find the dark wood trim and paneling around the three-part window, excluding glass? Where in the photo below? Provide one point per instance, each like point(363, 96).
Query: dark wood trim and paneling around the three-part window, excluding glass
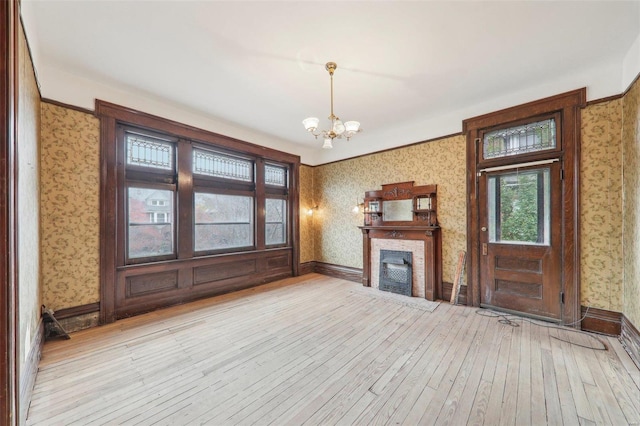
point(188, 275)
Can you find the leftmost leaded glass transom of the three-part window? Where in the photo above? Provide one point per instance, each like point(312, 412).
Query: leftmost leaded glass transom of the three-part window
point(148, 152)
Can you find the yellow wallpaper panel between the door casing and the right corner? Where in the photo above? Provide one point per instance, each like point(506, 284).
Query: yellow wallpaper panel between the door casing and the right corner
point(601, 206)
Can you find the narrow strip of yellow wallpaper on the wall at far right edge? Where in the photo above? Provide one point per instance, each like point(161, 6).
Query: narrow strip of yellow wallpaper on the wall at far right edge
point(631, 196)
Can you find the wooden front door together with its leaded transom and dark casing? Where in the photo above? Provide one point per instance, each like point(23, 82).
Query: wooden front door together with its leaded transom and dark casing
point(523, 183)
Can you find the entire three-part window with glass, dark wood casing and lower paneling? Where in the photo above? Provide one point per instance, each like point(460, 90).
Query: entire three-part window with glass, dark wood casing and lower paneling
point(186, 213)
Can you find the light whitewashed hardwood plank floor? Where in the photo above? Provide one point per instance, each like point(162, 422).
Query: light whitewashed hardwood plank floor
point(319, 350)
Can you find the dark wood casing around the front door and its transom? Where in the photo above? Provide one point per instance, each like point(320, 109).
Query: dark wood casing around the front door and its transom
point(567, 106)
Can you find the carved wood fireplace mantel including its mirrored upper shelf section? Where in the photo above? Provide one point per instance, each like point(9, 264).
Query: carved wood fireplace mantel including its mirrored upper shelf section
point(402, 211)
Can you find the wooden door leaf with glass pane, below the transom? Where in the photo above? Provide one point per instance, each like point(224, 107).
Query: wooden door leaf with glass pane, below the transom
point(520, 237)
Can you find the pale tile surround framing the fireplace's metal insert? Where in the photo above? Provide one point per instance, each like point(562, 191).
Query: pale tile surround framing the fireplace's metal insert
point(416, 247)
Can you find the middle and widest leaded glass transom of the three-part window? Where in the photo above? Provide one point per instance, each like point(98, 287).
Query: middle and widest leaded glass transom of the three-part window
point(223, 166)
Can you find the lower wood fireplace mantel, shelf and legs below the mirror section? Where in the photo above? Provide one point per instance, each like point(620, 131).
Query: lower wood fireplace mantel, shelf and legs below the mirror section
point(429, 235)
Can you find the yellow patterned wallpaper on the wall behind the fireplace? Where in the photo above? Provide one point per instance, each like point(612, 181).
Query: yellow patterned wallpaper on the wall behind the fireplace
point(338, 186)
